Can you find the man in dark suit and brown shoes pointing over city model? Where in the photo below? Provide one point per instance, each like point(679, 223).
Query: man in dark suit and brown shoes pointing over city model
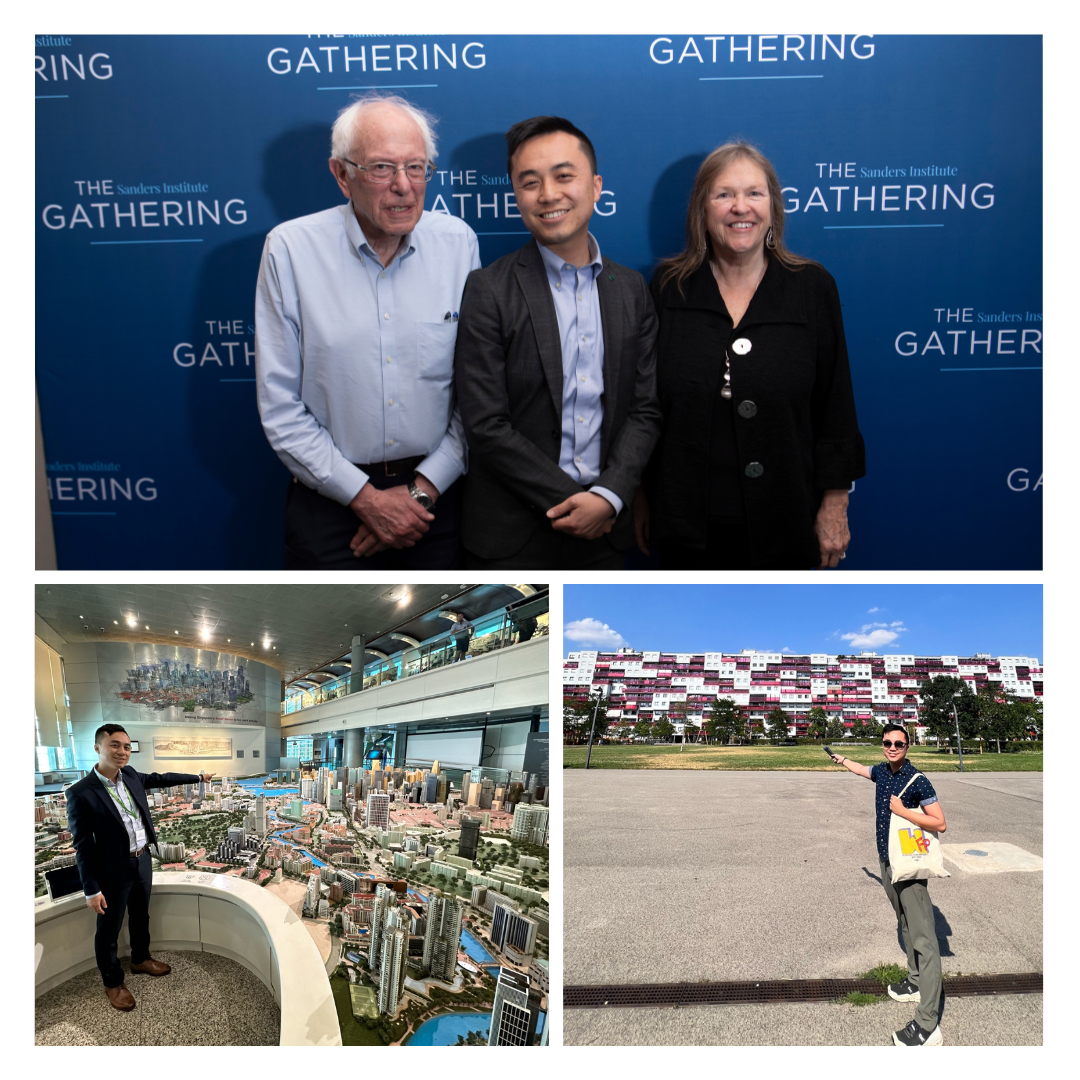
point(112, 831)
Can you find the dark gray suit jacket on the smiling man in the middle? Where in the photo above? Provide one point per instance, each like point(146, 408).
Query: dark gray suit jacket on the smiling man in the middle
point(508, 372)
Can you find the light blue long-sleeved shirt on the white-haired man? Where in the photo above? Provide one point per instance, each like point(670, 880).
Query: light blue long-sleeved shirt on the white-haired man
point(355, 361)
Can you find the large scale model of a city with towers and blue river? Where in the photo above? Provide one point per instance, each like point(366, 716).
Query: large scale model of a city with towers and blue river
point(425, 899)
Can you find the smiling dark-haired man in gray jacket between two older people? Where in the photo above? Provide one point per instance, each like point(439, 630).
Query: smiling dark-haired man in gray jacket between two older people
point(556, 375)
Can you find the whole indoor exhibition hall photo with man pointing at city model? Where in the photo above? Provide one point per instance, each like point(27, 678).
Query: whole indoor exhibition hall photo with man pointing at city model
point(321, 812)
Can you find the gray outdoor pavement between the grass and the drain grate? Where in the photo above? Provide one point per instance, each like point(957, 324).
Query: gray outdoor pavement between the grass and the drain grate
point(679, 876)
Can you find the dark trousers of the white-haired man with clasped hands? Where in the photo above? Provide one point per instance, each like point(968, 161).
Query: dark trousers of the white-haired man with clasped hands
point(318, 532)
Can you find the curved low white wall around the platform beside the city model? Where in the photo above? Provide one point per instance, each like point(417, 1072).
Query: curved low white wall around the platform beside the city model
point(202, 913)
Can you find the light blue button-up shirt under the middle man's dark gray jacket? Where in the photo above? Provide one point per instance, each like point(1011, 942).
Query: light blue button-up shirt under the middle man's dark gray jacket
point(582, 339)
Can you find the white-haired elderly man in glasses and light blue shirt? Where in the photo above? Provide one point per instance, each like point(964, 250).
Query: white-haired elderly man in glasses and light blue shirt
point(356, 323)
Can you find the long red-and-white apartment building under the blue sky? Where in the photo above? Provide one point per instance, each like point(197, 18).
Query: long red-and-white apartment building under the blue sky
point(884, 688)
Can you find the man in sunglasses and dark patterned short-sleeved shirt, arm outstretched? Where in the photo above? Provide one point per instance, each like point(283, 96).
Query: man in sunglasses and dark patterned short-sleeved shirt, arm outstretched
point(911, 901)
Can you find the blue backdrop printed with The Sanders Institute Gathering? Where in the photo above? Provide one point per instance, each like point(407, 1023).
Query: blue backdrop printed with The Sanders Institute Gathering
point(912, 171)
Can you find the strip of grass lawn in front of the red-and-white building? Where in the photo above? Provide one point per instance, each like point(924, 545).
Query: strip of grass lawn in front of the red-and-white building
point(801, 759)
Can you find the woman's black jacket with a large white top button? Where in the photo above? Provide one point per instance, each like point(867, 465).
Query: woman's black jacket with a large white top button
point(798, 435)
